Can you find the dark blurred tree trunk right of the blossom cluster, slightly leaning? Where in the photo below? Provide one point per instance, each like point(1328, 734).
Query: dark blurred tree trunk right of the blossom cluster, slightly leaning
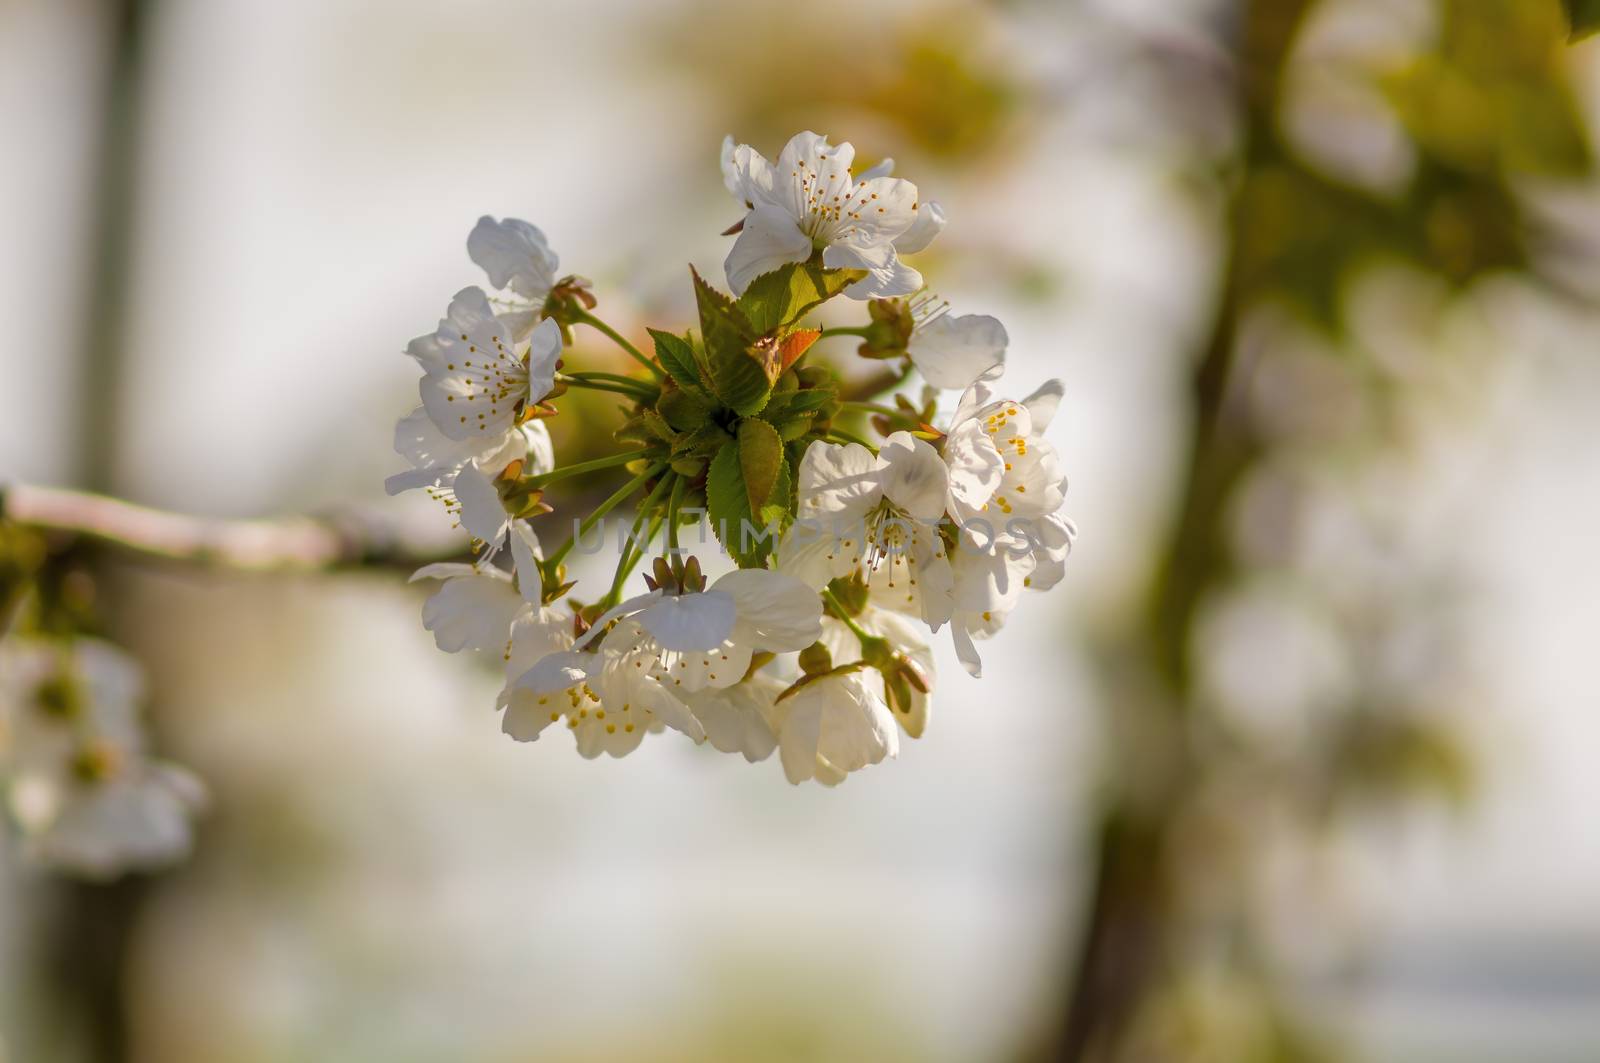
point(1130, 929)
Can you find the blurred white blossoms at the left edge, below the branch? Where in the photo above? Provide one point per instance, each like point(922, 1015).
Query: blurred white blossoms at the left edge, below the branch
point(78, 780)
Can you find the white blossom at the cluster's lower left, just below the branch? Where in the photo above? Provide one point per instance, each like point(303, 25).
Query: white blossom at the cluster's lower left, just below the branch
point(476, 608)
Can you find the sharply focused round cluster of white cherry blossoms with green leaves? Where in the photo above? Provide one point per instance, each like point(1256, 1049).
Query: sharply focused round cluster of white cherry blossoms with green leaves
point(854, 521)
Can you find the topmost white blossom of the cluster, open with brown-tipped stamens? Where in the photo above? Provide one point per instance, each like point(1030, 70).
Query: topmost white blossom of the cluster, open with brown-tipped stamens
point(809, 203)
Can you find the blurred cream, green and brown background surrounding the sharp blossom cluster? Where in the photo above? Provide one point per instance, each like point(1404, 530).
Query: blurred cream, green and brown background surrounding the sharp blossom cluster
point(1297, 764)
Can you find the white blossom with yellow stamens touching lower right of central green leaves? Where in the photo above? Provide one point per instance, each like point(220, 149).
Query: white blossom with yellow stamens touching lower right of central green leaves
point(876, 515)
